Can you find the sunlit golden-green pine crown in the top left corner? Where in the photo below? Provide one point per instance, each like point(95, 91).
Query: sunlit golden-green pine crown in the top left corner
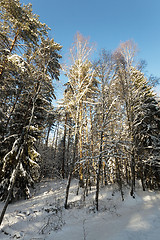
point(19, 24)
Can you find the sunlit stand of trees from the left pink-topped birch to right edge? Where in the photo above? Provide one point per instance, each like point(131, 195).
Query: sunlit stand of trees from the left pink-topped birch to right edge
point(111, 117)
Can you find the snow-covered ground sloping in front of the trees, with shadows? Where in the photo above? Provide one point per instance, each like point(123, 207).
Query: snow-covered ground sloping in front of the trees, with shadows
point(43, 217)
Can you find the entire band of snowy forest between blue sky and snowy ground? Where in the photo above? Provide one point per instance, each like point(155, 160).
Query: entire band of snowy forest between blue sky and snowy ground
point(105, 130)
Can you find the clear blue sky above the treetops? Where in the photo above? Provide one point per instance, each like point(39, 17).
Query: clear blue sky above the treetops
point(107, 23)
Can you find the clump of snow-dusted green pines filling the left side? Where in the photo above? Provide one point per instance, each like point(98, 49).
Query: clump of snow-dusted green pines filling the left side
point(29, 100)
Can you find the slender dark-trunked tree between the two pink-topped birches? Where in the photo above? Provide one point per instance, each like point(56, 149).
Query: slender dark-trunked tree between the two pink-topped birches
point(105, 115)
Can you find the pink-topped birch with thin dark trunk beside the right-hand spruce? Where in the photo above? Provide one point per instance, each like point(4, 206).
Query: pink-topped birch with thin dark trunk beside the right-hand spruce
point(124, 58)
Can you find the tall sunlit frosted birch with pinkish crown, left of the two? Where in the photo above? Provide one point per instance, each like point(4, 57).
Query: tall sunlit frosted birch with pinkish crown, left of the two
point(82, 85)
